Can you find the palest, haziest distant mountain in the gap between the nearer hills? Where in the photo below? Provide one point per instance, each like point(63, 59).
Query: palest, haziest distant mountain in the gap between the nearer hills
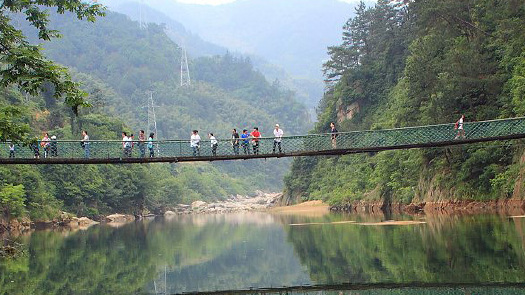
point(286, 40)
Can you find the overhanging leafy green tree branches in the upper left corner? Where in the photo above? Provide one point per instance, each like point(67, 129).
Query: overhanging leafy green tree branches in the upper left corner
point(24, 65)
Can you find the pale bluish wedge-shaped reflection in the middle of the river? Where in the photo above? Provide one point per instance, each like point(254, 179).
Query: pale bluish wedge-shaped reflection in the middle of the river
point(263, 259)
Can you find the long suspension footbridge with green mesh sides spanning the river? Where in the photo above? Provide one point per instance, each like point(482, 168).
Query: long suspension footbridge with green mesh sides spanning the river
point(110, 151)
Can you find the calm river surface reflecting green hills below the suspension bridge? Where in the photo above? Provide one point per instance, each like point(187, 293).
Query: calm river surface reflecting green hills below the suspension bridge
point(205, 253)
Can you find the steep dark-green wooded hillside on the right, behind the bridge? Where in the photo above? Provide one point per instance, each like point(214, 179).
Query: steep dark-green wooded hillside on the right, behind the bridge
point(407, 63)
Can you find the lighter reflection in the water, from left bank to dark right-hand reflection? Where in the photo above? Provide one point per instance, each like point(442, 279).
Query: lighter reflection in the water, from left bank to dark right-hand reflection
point(223, 252)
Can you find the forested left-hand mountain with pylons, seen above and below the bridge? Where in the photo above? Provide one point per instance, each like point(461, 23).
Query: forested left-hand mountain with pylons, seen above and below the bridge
point(118, 63)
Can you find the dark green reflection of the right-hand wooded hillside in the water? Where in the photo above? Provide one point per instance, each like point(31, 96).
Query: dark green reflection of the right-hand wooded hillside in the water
point(467, 249)
